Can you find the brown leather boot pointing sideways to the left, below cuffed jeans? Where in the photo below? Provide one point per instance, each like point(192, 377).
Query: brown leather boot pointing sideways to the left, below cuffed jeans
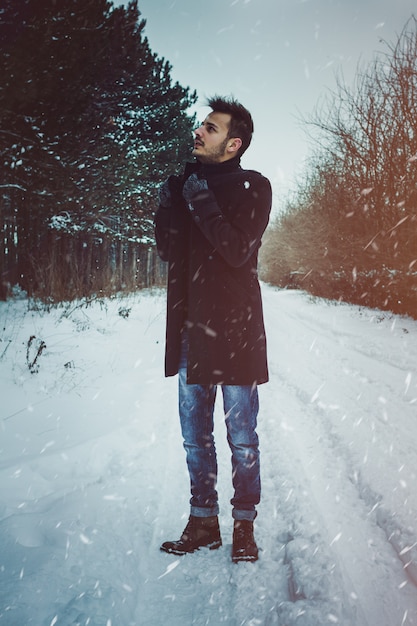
point(200, 532)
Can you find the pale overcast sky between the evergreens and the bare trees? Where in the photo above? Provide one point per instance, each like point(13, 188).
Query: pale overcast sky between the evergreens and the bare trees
point(278, 57)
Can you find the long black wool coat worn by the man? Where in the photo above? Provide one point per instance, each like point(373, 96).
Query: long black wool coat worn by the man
point(213, 287)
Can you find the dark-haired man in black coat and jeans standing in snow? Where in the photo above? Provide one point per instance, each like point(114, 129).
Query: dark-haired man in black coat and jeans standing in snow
point(208, 227)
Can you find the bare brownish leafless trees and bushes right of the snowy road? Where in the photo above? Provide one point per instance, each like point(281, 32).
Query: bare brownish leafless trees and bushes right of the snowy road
point(348, 231)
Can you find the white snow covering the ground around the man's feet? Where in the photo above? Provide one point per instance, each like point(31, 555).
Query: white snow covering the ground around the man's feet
point(93, 476)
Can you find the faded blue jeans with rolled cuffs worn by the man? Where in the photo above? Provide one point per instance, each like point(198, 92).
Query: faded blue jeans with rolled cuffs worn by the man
point(196, 408)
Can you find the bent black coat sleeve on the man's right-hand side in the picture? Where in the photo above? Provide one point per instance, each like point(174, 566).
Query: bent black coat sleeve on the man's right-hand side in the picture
point(236, 238)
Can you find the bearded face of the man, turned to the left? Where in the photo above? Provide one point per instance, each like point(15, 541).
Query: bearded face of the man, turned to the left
point(211, 143)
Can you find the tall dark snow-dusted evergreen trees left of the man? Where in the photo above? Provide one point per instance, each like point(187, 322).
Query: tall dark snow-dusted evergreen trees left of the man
point(90, 123)
